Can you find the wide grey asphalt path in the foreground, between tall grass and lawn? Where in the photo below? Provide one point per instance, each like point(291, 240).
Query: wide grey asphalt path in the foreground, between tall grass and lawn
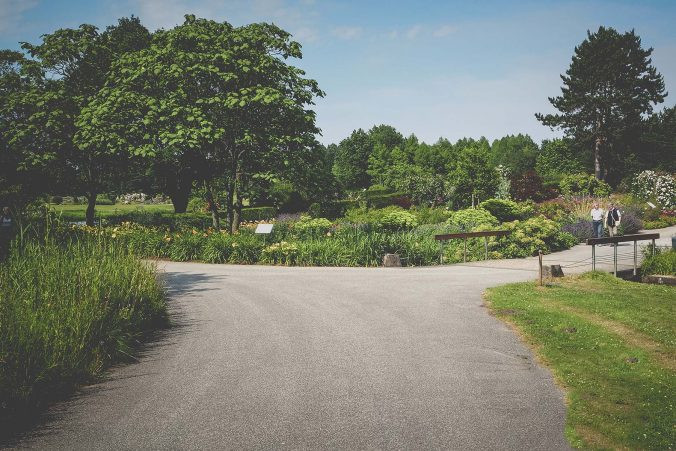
point(263, 357)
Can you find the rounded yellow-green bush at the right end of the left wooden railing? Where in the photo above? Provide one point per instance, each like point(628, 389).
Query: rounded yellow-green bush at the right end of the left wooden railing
point(529, 236)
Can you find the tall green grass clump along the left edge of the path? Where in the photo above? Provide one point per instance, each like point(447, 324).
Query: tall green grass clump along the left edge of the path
point(67, 310)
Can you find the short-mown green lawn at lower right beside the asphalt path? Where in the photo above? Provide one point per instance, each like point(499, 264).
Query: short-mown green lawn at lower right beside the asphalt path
point(611, 344)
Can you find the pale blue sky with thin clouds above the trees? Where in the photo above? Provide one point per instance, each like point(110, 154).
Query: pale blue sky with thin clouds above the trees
point(434, 68)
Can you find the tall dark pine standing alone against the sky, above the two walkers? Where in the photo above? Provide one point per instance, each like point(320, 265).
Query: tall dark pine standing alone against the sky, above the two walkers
point(610, 85)
